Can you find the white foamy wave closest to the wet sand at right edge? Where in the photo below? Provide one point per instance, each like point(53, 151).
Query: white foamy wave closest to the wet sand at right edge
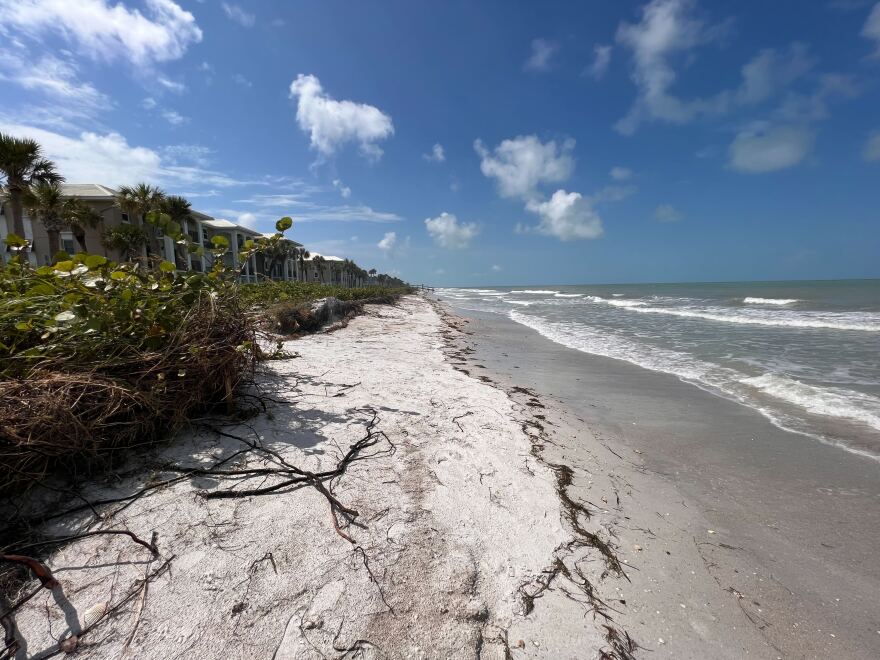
point(825, 401)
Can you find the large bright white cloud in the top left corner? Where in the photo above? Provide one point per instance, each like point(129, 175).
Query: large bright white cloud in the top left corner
point(104, 31)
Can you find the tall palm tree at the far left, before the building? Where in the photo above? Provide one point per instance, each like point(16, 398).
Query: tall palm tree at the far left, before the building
point(22, 165)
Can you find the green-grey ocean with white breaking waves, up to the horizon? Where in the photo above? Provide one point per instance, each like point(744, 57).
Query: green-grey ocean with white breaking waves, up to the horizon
point(804, 354)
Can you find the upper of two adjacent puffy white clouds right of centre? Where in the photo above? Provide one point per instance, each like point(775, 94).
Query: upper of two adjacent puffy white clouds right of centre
point(521, 164)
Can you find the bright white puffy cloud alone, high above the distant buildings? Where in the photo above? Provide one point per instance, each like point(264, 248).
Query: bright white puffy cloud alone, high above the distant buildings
point(331, 123)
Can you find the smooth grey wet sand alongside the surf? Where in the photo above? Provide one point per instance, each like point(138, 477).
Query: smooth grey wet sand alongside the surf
point(794, 523)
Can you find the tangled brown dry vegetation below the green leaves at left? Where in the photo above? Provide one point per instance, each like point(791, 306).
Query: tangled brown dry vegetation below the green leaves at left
point(76, 422)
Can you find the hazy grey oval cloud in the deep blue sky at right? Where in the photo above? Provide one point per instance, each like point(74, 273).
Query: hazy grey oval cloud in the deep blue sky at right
point(767, 148)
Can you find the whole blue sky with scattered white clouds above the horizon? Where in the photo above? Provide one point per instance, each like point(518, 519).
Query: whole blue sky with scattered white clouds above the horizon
point(484, 143)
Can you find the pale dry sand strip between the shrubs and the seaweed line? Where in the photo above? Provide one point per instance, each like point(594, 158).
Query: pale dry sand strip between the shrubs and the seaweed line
point(457, 549)
